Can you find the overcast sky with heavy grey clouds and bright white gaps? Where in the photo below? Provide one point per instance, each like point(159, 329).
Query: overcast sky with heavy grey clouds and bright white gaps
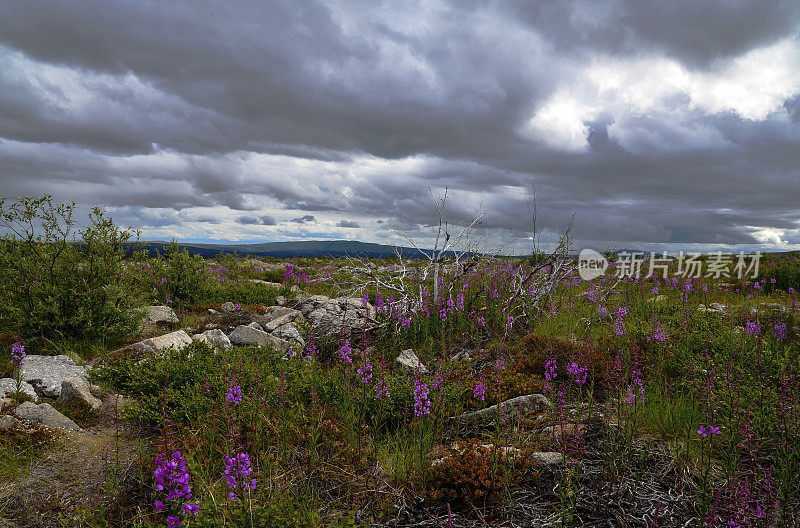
point(657, 124)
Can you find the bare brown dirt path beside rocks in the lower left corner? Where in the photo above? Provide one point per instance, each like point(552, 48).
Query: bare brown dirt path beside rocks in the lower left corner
point(69, 478)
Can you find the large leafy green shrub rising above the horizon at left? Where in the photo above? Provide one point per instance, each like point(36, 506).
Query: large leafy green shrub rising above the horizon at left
point(57, 282)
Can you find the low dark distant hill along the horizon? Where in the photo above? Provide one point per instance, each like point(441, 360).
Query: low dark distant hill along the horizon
point(310, 248)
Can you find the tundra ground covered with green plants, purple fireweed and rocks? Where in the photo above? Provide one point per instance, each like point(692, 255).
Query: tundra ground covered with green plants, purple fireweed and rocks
point(452, 390)
